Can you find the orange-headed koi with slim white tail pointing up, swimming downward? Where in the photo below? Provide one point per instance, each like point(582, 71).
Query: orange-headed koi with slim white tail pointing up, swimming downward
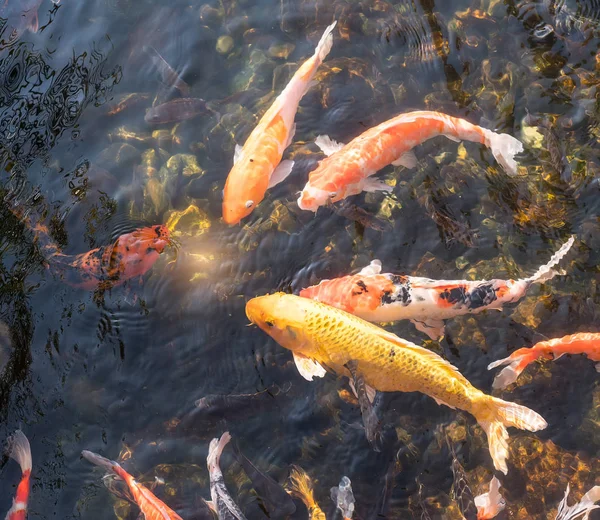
point(257, 166)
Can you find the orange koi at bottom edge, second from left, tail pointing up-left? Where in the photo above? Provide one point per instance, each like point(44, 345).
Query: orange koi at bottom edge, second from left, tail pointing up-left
point(151, 507)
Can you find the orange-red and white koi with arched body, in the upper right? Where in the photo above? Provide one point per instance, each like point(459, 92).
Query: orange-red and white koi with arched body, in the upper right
point(347, 168)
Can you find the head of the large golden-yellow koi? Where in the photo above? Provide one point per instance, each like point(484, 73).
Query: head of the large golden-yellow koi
point(282, 316)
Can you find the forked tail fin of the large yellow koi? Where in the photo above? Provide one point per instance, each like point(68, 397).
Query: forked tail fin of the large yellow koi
point(499, 414)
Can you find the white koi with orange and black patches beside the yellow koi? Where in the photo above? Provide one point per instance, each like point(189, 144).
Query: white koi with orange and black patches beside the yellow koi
point(378, 297)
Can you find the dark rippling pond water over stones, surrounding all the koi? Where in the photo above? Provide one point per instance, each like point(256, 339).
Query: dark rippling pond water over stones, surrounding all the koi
point(118, 371)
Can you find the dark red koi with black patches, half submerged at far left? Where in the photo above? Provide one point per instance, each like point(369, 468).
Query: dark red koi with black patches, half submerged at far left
point(131, 255)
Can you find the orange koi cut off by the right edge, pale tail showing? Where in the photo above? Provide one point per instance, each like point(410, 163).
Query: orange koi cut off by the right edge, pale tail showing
point(587, 343)
